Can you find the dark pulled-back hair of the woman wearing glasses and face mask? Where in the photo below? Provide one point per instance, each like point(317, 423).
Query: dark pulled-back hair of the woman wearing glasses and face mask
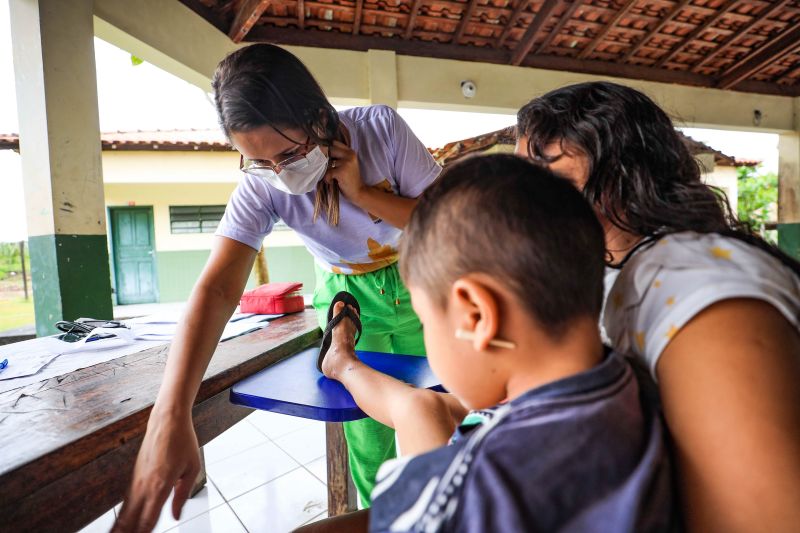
point(264, 85)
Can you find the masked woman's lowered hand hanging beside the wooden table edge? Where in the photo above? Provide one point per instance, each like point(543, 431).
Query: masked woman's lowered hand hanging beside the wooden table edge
point(169, 458)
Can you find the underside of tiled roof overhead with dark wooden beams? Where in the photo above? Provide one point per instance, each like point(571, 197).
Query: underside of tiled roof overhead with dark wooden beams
point(751, 45)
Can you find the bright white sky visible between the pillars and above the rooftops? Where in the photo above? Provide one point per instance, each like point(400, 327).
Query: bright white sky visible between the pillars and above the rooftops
point(144, 97)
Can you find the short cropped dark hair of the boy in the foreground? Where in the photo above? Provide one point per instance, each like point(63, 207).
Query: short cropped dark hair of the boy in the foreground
point(516, 222)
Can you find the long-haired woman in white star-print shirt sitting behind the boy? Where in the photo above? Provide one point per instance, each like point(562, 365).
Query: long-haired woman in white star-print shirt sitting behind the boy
point(712, 310)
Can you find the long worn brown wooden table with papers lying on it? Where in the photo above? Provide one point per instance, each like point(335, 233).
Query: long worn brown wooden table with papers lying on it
point(68, 444)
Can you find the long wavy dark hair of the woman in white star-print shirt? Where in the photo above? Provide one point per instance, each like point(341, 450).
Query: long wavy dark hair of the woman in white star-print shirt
point(642, 177)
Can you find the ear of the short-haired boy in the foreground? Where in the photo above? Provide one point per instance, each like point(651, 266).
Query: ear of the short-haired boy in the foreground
point(476, 308)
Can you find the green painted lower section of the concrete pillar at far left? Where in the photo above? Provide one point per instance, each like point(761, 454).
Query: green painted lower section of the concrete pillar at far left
point(71, 279)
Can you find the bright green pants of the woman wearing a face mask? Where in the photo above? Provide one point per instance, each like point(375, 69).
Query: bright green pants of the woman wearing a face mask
point(390, 325)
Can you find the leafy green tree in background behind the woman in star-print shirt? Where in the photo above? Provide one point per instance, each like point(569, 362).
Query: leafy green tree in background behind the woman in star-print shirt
point(758, 199)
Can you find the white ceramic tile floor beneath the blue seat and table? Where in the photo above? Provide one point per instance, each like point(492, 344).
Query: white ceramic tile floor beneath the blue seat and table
point(265, 474)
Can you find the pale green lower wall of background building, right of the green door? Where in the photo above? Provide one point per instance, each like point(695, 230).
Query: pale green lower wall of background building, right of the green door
point(178, 271)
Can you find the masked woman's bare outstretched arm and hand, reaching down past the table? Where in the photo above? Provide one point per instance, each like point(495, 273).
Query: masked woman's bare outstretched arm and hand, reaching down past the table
point(169, 457)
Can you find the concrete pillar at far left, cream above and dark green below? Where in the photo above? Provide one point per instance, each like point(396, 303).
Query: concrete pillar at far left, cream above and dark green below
point(54, 70)
